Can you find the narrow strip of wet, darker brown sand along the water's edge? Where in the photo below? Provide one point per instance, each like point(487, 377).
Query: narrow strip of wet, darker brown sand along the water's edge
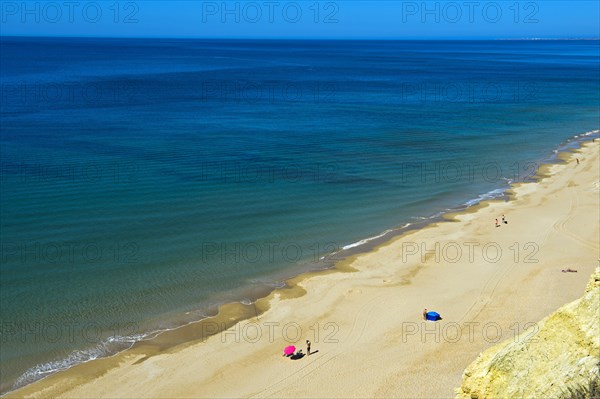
point(233, 314)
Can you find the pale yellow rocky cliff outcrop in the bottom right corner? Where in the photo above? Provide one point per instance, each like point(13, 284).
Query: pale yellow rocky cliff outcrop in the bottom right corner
point(561, 358)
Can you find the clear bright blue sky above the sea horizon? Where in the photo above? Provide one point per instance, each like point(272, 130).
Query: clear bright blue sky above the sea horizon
point(304, 19)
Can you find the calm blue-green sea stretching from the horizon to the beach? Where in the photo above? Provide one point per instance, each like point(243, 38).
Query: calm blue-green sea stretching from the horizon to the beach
point(144, 181)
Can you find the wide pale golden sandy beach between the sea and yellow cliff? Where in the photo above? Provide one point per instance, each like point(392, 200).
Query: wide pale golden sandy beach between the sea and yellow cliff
point(364, 319)
